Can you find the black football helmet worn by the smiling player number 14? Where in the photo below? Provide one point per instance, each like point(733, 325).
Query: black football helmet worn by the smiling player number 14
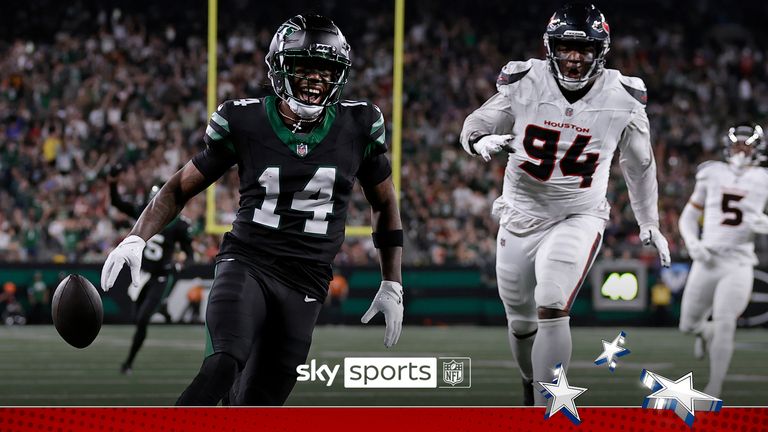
point(310, 41)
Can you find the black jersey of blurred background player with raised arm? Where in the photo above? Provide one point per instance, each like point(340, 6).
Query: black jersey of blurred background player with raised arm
point(158, 254)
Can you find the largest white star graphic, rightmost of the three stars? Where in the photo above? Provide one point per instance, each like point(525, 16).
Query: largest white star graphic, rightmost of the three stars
point(679, 396)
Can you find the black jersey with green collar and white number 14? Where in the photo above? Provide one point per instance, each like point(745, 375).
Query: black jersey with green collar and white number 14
point(294, 187)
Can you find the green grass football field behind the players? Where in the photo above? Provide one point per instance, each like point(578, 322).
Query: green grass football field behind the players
point(38, 368)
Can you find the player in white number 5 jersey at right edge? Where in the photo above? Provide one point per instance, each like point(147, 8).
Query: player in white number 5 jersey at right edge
point(732, 196)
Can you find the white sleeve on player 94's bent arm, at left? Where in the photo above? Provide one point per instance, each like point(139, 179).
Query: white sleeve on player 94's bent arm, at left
point(493, 118)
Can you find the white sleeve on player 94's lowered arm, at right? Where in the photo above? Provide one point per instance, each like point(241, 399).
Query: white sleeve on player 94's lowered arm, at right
point(639, 168)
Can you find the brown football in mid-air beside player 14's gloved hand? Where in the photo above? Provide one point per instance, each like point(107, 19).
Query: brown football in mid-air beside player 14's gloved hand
point(77, 311)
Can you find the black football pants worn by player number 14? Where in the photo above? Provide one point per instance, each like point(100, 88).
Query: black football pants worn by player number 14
point(259, 331)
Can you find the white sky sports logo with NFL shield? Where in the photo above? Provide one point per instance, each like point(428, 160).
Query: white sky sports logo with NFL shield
point(393, 372)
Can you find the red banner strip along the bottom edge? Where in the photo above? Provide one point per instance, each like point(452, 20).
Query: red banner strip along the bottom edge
point(228, 419)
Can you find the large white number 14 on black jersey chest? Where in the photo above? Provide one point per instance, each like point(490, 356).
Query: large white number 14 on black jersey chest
point(316, 198)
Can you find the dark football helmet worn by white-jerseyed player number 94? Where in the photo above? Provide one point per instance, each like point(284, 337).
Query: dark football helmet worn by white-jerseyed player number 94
point(579, 22)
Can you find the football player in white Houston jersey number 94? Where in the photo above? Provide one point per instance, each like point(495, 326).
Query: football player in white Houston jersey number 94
point(562, 119)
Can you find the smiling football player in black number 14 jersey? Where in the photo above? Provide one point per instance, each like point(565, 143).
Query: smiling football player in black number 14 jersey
point(298, 154)
